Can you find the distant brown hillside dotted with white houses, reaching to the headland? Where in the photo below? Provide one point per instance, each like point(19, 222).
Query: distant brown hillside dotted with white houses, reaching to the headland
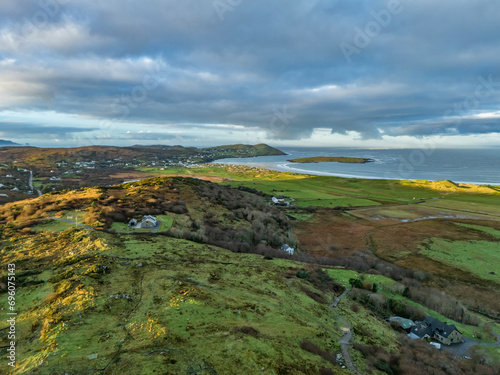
point(56, 169)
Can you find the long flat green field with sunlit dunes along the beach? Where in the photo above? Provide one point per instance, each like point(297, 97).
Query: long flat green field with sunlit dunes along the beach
point(328, 191)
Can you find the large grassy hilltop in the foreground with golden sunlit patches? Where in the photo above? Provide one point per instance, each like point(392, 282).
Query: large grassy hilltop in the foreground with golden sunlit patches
point(185, 313)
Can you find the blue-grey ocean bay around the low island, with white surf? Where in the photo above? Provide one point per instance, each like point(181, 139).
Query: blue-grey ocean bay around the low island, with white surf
point(470, 166)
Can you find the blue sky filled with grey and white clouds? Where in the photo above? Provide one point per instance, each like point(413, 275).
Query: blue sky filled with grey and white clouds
point(288, 73)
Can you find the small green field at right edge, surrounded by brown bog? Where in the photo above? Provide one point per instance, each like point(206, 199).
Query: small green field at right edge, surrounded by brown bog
point(478, 257)
